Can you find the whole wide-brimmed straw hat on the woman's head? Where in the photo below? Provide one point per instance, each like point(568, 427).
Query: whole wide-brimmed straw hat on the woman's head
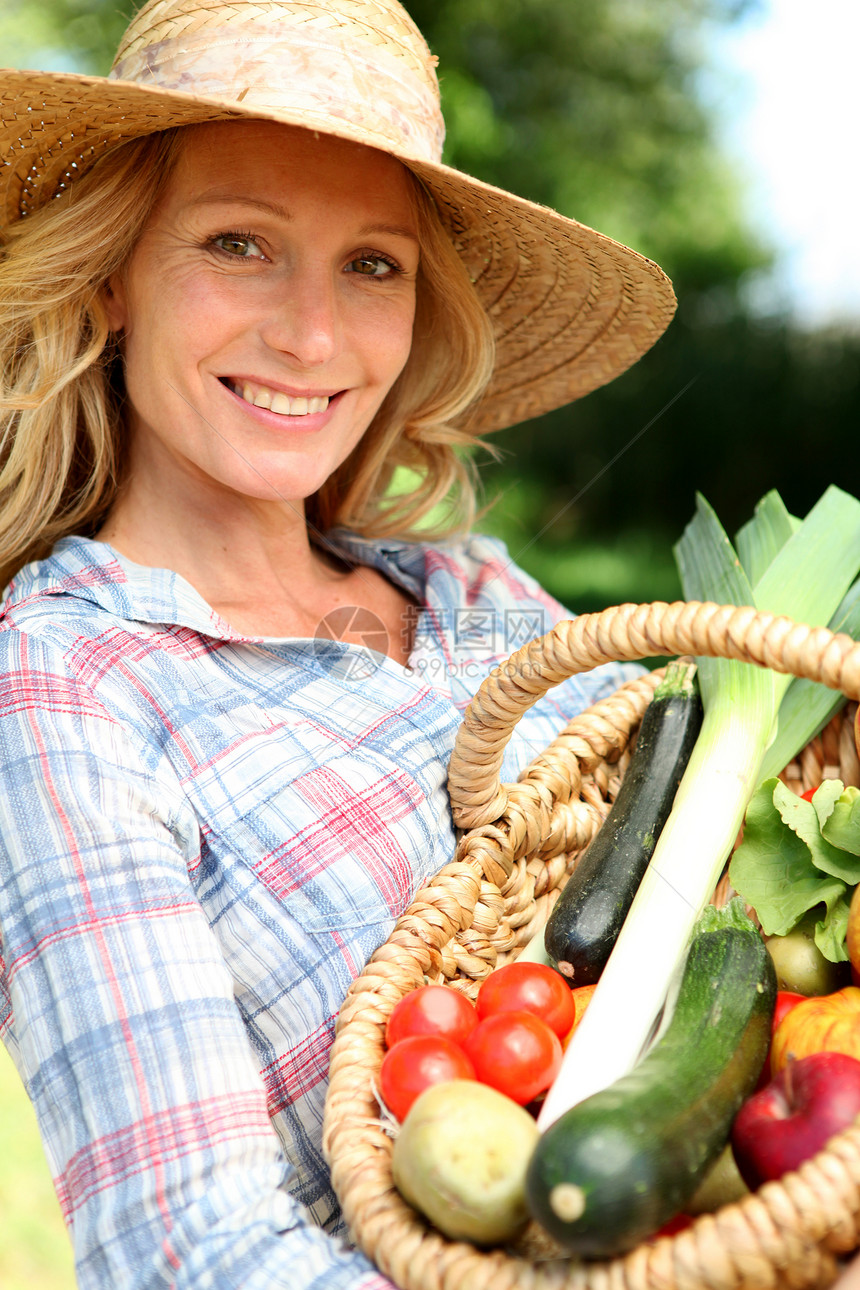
point(572, 309)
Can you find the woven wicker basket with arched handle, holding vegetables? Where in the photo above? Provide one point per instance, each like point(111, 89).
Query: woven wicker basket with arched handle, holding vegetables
point(482, 909)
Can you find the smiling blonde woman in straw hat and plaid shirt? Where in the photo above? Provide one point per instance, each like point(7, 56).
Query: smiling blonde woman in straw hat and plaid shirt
point(238, 291)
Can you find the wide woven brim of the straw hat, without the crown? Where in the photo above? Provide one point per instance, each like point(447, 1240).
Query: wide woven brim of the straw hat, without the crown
point(572, 309)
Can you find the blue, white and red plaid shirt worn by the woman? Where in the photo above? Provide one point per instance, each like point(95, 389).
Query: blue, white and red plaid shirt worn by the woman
point(203, 839)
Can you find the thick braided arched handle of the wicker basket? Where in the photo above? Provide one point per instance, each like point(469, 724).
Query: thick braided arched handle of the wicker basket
point(626, 634)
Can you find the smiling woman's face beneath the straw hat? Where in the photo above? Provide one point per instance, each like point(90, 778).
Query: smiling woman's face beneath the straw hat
point(266, 312)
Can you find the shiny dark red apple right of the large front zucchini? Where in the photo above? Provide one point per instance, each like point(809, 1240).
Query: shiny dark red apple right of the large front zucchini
point(795, 1115)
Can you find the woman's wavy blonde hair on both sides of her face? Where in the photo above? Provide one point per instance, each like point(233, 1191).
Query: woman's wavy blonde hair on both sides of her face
point(63, 392)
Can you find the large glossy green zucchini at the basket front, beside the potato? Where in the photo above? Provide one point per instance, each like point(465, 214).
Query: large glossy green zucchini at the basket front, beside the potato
point(616, 1168)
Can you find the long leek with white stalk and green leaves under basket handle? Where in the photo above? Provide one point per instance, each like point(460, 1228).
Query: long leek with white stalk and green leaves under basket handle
point(803, 571)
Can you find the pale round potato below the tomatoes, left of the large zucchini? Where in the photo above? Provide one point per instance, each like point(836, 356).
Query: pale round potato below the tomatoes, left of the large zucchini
point(461, 1159)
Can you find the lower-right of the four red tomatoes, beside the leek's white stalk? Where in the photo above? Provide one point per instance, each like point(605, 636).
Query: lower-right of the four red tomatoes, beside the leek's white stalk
point(515, 1053)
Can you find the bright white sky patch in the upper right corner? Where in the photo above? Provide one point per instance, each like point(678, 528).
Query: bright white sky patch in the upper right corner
point(790, 110)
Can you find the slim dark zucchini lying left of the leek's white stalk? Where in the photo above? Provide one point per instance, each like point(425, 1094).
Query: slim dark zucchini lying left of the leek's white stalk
point(589, 915)
